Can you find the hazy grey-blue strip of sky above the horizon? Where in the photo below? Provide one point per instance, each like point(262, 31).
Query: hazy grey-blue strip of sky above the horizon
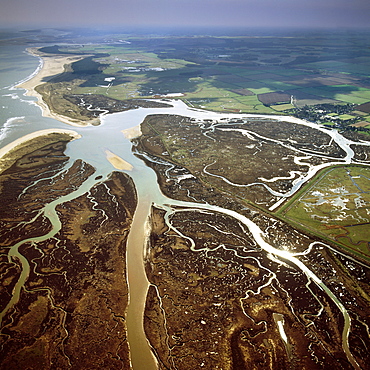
point(245, 13)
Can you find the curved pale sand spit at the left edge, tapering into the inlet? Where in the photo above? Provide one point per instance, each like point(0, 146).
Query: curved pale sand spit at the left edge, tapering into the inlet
point(11, 152)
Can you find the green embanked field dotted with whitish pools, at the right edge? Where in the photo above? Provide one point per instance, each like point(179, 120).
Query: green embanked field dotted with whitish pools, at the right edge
point(336, 206)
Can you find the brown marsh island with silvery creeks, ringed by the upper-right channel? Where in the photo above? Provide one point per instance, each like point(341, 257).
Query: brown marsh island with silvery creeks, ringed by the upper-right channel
point(255, 159)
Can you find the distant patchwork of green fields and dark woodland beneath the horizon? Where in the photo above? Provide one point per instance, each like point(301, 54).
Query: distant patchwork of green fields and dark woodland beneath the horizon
point(209, 72)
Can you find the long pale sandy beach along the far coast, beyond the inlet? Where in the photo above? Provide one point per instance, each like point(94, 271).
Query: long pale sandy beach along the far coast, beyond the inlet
point(51, 66)
